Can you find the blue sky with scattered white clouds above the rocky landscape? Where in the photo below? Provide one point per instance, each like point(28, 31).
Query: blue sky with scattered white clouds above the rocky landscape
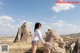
point(64, 18)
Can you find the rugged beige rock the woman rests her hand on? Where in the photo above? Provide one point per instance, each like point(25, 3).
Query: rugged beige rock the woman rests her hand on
point(55, 43)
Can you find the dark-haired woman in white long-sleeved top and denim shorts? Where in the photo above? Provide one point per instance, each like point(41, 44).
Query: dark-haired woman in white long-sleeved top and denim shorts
point(37, 37)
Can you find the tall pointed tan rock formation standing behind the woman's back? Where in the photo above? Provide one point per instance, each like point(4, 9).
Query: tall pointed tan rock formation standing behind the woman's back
point(24, 33)
